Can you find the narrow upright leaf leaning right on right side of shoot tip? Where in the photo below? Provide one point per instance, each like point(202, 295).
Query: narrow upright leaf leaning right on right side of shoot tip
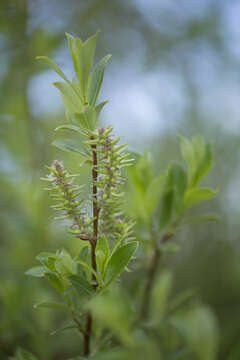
point(96, 79)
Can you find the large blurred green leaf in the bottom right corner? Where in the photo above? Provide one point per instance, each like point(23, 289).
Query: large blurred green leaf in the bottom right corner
point(199, 328)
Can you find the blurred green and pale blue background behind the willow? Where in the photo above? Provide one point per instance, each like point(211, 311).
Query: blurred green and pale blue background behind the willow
point(175, 69)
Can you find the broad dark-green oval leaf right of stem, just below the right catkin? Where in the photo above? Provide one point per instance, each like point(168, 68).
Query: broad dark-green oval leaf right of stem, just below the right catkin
point(119, 260)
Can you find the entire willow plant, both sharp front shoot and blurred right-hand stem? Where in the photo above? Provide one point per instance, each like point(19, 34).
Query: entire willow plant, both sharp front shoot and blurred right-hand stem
point(104, 220)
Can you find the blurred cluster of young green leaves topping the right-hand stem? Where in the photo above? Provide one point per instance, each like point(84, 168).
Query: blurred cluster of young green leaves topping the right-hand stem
point(162, 202)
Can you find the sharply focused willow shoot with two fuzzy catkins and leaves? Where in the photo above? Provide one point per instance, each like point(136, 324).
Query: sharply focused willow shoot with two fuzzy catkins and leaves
point(104, 225)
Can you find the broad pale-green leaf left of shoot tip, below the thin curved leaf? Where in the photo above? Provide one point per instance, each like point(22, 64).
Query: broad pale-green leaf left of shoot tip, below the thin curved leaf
point(71, 100)
